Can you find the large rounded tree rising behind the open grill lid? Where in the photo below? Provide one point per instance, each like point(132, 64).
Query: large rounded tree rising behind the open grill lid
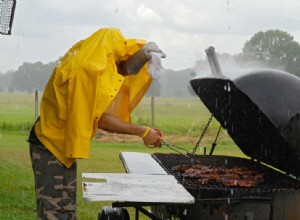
point(275, 48)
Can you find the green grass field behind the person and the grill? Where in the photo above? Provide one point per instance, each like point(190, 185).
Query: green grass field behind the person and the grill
point(181, 120)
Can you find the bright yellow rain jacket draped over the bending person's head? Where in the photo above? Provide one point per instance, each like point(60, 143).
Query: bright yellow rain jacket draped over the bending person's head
point(84, 85)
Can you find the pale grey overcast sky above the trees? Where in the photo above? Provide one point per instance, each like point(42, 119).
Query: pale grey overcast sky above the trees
point(44, 30)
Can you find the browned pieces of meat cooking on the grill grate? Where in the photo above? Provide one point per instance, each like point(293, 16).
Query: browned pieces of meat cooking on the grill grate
point(236, 176)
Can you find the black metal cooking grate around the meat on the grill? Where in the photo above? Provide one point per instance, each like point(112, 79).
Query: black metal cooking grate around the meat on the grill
point(274, 181)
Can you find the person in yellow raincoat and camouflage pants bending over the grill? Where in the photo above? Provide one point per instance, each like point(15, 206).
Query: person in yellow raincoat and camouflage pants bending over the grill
point(96, 84)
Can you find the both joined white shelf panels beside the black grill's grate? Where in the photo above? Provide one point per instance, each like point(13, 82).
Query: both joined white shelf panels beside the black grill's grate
point(146, 181)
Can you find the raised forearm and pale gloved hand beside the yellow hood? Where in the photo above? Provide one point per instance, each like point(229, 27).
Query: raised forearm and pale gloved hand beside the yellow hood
point(138, 59)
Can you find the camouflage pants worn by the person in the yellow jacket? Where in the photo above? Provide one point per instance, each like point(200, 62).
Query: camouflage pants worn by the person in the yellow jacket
point(55, 185)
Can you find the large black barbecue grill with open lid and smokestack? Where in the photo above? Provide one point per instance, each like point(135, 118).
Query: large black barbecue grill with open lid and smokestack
point(260, 110)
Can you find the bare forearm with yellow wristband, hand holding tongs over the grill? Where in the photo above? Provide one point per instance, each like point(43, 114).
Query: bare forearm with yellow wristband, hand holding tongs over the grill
point(110, 123)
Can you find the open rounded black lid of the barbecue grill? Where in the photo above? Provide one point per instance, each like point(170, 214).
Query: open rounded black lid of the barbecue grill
point(260, 111)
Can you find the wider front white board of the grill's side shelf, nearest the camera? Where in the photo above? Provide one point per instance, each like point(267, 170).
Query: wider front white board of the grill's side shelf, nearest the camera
point(124, 187)
